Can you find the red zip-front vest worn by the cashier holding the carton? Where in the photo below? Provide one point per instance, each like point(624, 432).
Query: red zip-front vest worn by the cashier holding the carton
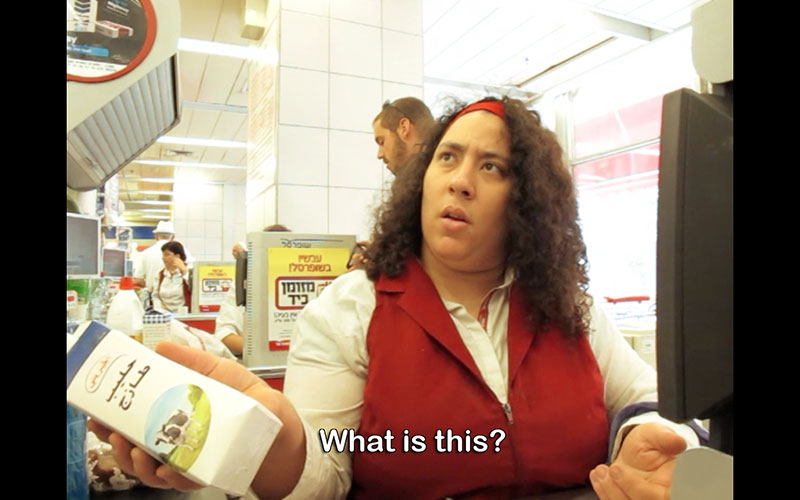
point(421, 379)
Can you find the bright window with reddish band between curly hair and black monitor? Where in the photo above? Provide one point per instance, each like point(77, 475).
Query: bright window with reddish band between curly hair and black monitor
point(615, 120)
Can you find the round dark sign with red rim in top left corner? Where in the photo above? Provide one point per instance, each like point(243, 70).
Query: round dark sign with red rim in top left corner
point(107, 38)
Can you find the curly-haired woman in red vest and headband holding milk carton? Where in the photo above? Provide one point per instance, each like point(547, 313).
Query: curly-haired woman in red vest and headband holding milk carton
point(467, 360)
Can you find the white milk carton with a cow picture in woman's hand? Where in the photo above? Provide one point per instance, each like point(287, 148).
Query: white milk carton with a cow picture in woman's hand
point(204, 429)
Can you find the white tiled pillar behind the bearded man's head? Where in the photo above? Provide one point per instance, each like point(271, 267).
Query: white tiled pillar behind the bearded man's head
point(339, 60)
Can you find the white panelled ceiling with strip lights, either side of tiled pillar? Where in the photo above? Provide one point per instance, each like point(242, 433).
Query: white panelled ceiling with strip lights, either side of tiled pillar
point(520, 46)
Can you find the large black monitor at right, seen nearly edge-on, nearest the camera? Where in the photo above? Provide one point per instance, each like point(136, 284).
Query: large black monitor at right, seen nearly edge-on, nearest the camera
point(694, 269)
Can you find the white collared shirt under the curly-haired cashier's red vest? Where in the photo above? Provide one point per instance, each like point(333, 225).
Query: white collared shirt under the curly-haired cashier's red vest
point(328, 362)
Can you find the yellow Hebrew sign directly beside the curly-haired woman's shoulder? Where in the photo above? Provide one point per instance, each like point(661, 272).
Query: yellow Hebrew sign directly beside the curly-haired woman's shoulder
point(297, 276)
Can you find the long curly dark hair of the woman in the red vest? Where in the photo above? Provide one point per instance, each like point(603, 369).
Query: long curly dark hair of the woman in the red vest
point(544, 244)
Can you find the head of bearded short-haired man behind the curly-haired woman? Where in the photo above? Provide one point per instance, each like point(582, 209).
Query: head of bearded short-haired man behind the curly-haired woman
point(400, 129)
